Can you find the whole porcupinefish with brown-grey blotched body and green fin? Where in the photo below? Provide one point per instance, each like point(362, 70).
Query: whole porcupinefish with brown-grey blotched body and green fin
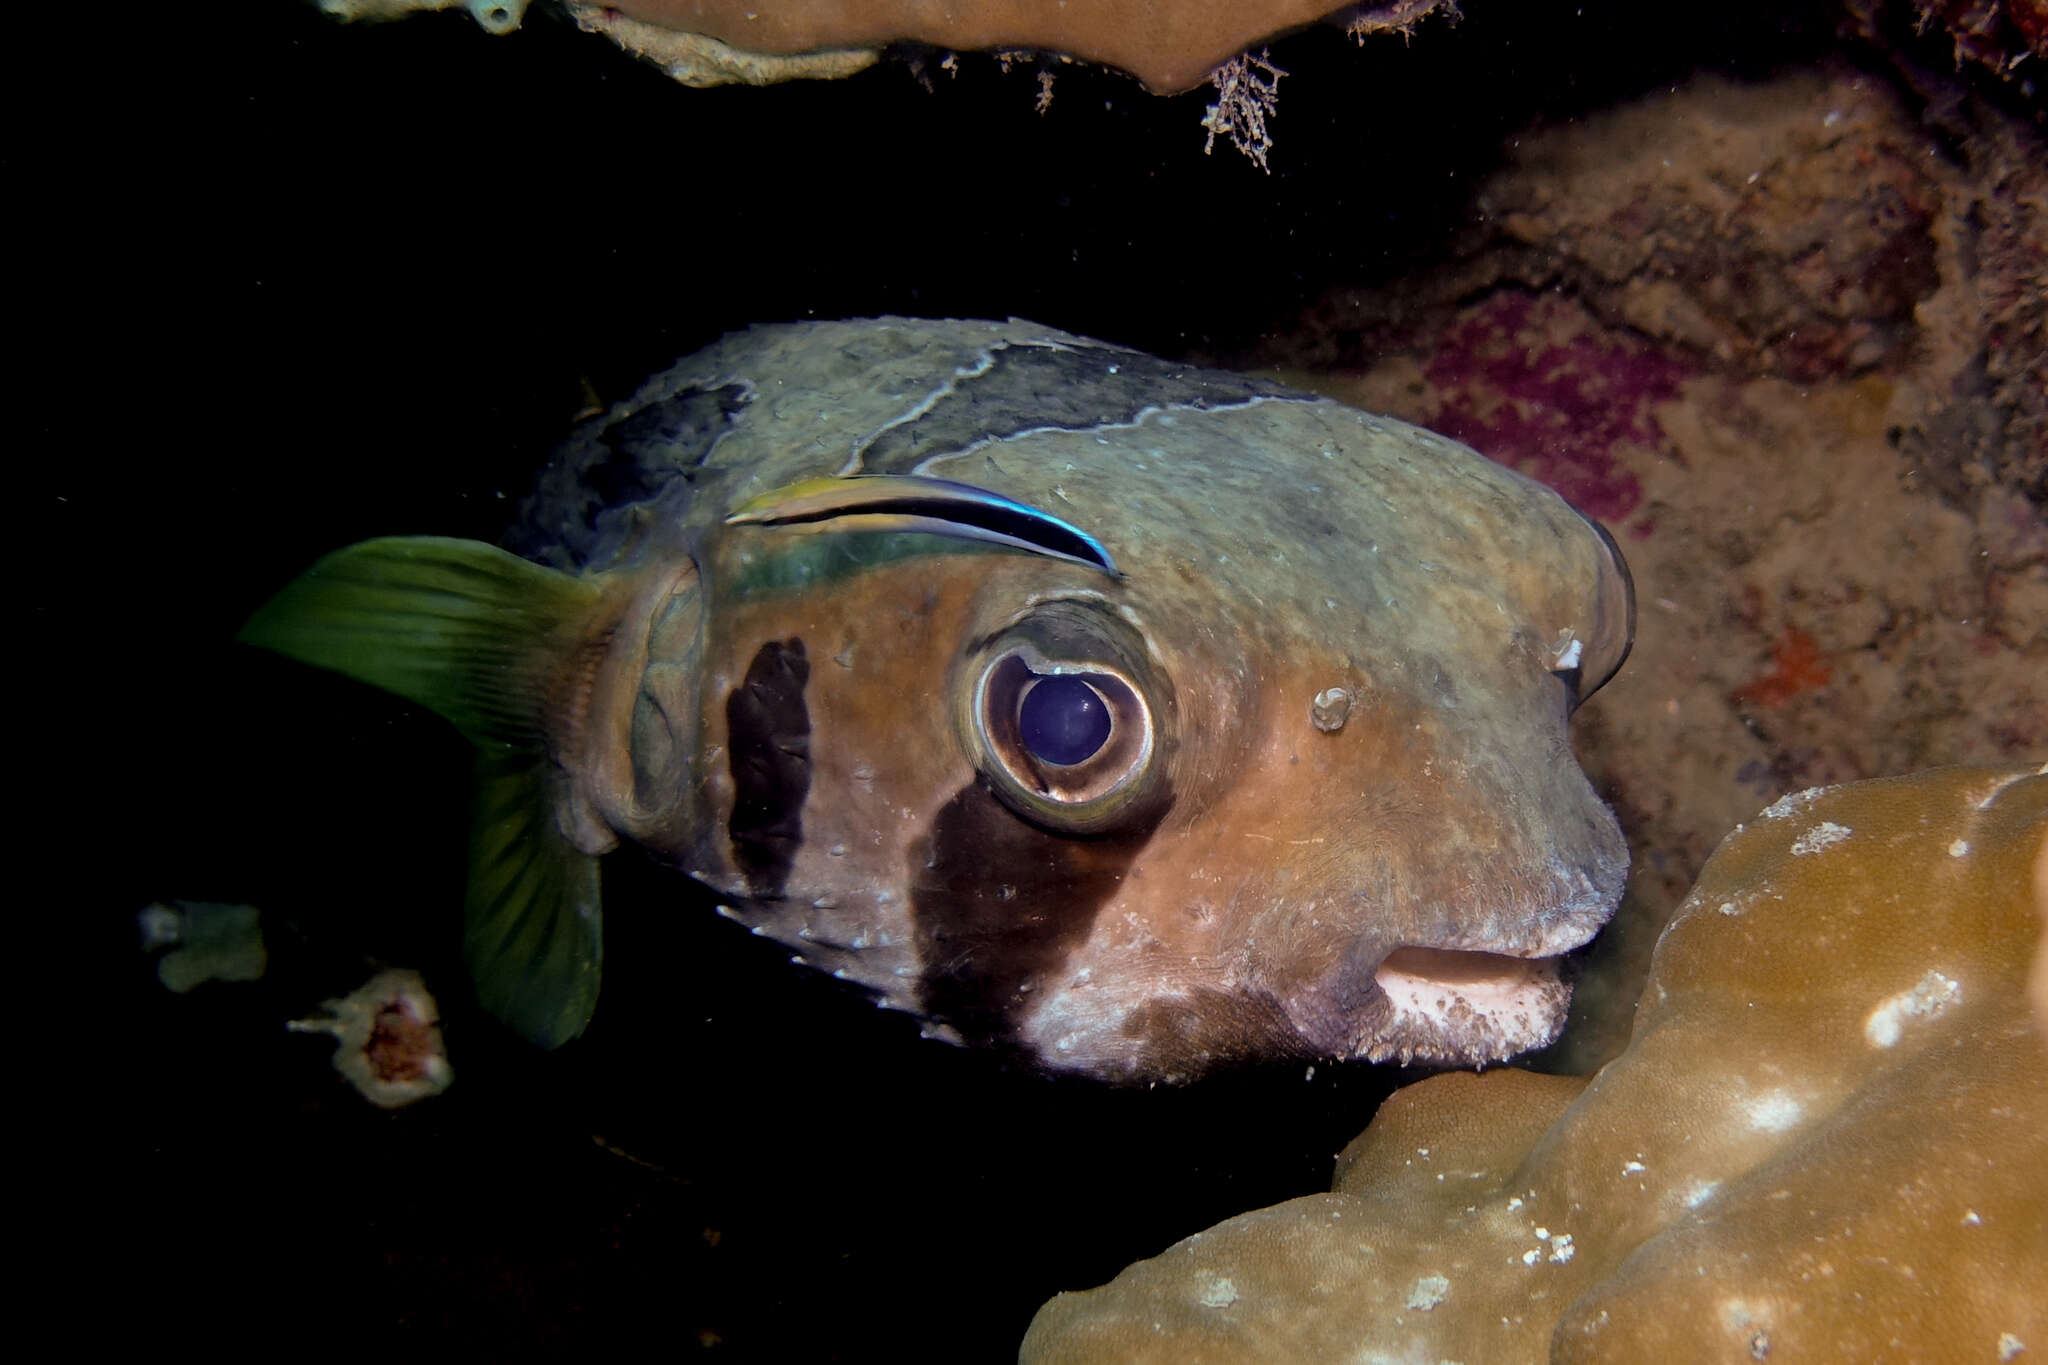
point(1125, 715)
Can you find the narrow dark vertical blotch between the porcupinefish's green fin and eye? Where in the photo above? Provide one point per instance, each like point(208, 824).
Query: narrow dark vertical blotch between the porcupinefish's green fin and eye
point(771, 756)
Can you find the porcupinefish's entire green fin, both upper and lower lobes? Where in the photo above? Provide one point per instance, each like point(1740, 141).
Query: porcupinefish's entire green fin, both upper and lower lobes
point(480, 637)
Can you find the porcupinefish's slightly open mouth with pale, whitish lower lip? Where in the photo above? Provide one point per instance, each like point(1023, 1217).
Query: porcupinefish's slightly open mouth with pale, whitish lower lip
point(1465, 1008)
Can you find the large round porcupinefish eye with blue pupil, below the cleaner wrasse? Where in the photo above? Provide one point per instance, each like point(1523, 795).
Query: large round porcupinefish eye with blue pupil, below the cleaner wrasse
point(1060, 723)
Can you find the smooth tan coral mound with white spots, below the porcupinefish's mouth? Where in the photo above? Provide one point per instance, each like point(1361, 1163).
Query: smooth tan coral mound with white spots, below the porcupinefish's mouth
point(1828, 1141)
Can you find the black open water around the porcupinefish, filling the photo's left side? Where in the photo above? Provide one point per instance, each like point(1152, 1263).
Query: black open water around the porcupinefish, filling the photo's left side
point(290, 285)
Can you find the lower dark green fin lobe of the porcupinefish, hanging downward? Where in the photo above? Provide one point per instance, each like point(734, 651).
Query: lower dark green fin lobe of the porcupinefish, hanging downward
point(534, 934)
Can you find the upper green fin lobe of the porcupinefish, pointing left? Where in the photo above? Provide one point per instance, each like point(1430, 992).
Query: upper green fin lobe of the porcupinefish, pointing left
point(458, 627)
